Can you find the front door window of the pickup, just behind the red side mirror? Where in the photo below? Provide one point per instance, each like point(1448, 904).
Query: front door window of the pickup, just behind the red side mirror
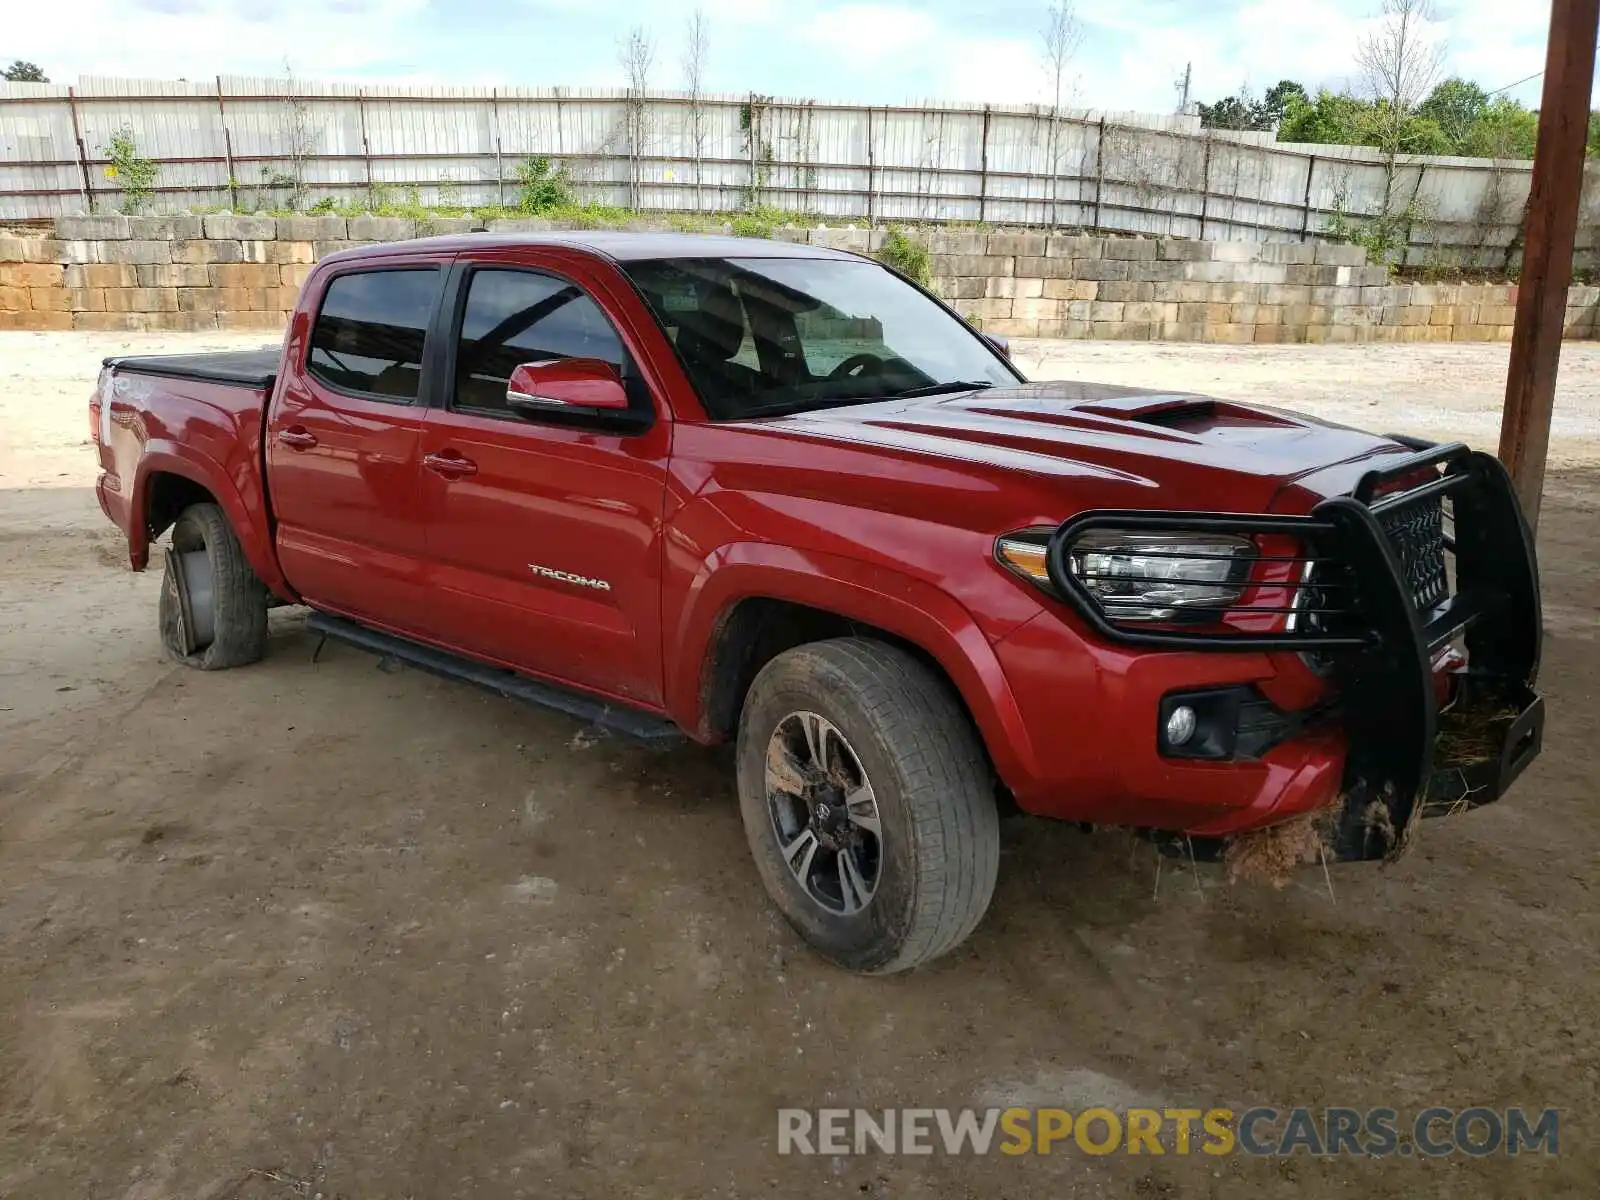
point(518, 318)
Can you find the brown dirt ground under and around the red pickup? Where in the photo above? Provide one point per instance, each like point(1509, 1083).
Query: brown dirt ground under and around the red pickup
point(327, 930)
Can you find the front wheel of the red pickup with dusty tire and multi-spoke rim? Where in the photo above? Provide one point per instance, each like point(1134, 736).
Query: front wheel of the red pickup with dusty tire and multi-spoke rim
point(868, 804)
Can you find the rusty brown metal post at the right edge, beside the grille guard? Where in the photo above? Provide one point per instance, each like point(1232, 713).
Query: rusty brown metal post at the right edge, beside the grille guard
point(1548, 247)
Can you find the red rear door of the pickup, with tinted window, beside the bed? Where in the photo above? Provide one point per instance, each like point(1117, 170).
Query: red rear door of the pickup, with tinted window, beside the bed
point(343, 439)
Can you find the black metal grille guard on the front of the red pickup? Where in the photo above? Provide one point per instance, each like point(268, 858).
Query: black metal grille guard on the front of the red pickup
point(1380, 641)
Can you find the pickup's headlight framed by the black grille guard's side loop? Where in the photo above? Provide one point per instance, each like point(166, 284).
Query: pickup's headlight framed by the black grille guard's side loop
point(1156, 577)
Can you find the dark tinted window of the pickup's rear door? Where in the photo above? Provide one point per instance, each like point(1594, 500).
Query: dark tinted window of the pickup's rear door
point(370, 332)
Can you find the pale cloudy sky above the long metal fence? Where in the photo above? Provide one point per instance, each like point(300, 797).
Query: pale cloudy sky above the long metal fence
point(1132, 54)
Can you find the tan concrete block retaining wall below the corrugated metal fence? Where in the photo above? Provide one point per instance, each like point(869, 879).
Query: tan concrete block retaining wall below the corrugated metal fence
point(244, 273)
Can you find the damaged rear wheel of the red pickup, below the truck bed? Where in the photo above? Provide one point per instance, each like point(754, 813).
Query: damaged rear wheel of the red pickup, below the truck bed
point(228, 617)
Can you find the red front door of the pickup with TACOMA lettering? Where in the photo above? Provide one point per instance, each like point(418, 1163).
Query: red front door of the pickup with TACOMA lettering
point(545, 532)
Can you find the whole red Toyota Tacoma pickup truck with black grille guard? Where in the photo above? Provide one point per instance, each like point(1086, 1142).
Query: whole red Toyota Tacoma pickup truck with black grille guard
point(746, 490)
